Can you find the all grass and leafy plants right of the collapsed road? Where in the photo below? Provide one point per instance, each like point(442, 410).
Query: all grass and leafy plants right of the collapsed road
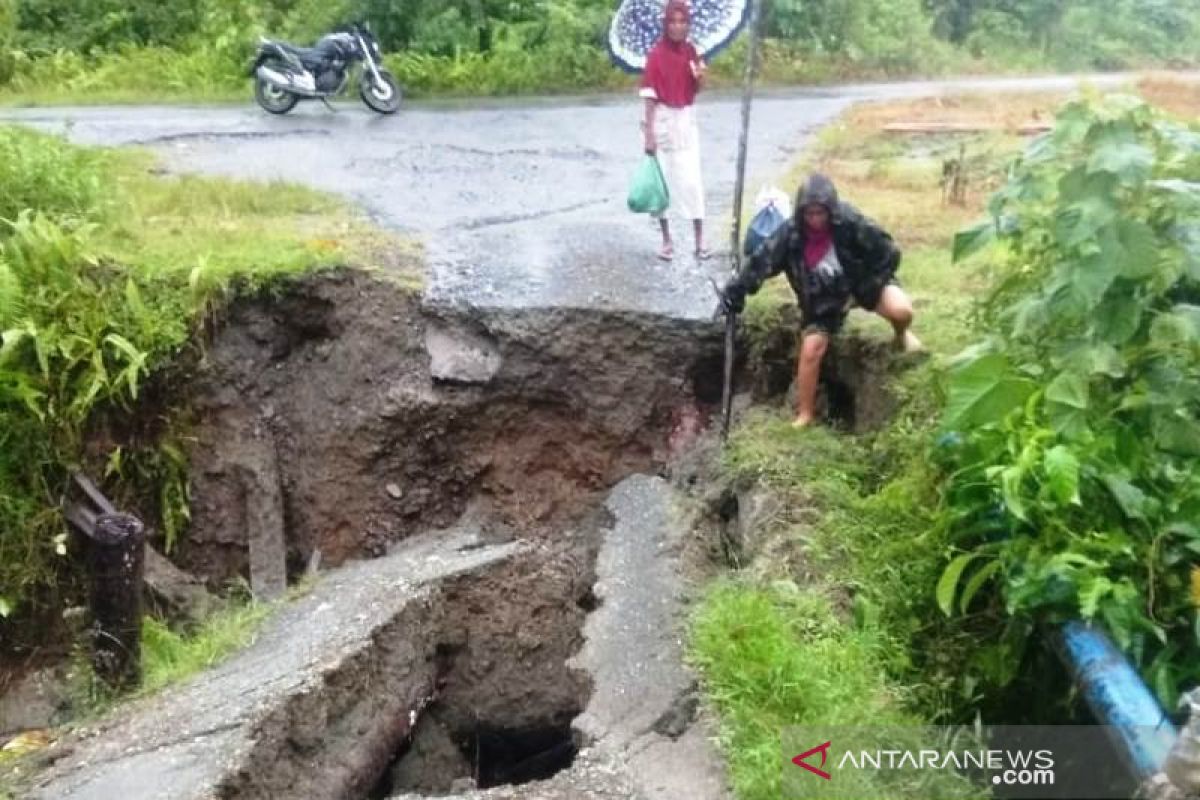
point(911, 574)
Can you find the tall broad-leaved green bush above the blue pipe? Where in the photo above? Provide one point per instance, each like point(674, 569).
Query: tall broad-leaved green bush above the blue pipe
point(1076, 429)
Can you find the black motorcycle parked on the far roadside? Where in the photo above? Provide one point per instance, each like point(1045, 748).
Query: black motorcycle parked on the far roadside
point(286, 75)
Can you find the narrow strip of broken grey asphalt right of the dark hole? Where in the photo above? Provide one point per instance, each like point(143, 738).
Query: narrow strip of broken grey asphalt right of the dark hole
point(644, 706)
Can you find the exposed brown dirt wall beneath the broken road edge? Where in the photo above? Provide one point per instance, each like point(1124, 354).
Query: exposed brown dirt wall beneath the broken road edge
point(371, 418)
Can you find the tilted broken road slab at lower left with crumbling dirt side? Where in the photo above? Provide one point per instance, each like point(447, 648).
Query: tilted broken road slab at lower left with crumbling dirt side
point(313, 709)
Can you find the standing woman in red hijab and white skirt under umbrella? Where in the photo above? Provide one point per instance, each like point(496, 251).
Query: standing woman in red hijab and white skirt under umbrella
point(674, 75)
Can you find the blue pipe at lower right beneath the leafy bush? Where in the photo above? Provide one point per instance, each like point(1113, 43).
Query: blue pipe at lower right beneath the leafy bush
point(1118, 697)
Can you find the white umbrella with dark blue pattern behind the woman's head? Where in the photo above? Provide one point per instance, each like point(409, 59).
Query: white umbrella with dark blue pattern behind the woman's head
point(638, 26)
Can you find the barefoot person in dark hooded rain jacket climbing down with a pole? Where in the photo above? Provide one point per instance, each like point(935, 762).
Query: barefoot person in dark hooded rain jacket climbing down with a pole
point(833, 256)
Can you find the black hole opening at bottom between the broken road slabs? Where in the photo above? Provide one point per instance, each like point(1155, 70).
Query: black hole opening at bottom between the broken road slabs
point(515, 757)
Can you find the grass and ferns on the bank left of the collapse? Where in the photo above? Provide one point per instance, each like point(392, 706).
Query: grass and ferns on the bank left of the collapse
point(107, 268)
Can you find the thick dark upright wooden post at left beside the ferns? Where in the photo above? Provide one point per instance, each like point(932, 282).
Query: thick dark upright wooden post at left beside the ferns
point(116, 564)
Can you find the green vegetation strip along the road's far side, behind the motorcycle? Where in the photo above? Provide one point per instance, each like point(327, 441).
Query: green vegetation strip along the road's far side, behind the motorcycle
point(151, 51)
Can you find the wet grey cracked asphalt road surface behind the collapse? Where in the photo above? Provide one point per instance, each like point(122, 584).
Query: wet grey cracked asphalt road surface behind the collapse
point(520, 204)
